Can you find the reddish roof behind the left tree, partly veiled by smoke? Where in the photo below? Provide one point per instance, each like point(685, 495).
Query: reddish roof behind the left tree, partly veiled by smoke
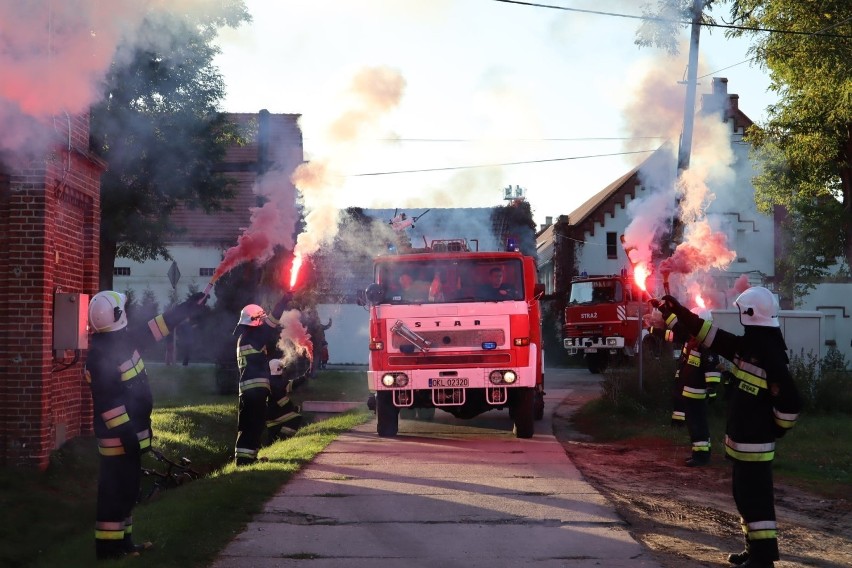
point(274, 141)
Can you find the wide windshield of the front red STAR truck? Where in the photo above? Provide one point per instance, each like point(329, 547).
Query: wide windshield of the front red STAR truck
point(451, 280)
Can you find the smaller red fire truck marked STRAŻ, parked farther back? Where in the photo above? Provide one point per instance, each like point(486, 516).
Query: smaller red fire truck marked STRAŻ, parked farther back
point(603, 319)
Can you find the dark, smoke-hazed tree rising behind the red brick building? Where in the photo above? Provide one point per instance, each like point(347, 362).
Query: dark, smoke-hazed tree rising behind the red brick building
point(160, 131)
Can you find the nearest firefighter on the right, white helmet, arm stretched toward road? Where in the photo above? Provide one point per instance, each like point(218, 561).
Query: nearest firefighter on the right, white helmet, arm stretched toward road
point(763, 406)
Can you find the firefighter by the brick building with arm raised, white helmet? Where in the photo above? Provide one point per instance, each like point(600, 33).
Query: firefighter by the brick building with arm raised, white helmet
point(122, 404)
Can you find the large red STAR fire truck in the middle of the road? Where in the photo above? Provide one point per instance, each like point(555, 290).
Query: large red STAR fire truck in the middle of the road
point(458, 330)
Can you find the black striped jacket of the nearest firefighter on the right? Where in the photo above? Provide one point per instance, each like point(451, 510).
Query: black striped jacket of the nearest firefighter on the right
point(764, 403)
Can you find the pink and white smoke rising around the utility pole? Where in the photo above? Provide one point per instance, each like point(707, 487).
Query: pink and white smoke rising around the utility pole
point(658, 106)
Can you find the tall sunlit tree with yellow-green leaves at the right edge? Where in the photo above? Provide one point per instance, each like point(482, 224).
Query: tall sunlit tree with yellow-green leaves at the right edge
point(805, 146)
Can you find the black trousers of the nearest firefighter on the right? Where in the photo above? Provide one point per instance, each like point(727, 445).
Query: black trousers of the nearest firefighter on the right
point(754, 496)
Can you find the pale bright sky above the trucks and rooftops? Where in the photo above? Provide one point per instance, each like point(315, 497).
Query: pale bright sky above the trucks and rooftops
point(444, 103)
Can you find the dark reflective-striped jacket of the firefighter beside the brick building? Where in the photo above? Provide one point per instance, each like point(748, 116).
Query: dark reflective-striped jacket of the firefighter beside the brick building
point(121, 394)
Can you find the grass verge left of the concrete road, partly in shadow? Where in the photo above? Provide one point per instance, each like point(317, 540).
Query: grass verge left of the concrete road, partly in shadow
point(49, 517)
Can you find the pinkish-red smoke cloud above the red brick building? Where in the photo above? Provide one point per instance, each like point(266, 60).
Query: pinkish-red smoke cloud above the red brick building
point(55, 55)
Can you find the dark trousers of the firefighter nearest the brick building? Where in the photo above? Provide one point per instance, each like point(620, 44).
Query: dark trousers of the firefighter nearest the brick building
point(119, 480)
